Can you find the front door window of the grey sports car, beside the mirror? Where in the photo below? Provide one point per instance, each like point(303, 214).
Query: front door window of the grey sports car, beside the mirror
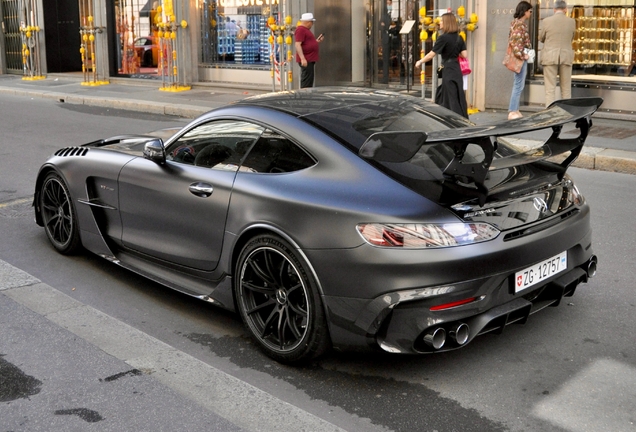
point(216, 144)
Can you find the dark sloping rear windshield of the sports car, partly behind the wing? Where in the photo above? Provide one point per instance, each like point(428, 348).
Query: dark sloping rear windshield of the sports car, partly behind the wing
point(424, 172)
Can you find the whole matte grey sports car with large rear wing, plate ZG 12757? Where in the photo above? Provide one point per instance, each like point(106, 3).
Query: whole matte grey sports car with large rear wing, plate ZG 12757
point(337, 217)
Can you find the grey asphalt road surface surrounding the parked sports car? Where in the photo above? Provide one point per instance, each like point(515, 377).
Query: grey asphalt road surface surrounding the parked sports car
point(570, 368)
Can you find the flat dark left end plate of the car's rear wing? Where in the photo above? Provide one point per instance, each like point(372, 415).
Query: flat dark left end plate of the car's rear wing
point(392, 146)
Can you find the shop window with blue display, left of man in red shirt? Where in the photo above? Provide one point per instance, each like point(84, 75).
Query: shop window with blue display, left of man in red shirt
point(235, 32)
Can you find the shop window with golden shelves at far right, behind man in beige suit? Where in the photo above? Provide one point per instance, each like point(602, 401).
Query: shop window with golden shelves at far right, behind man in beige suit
point(604, 43)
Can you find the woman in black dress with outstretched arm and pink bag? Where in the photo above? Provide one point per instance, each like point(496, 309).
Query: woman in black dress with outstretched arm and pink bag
point(450, 45)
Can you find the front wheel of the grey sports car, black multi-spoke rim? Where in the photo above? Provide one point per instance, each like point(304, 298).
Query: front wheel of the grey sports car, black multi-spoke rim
point(58, 215)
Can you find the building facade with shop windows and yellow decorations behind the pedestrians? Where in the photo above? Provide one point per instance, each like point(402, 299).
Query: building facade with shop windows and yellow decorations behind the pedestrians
point(249, 43)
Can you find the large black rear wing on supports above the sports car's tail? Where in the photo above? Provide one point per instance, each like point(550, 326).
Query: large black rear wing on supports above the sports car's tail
point(402, 146)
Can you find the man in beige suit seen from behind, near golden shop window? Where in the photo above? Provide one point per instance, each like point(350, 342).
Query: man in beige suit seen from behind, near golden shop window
point(557, 55)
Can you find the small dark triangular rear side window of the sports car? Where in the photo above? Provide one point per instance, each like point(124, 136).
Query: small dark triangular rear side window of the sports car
point(274, 153)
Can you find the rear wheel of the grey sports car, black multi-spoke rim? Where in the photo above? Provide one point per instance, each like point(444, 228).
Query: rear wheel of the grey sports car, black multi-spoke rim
point(278, 301)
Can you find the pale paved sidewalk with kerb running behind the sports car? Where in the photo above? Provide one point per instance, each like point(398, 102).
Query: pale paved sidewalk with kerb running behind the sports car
point(610, 146)
